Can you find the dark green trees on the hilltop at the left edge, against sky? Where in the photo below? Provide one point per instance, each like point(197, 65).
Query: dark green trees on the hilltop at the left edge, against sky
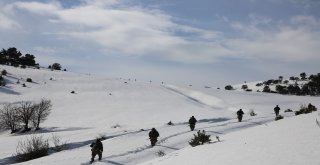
point(13, 57)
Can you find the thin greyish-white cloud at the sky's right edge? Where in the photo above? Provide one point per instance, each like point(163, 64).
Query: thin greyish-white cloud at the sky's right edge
point(293, 41)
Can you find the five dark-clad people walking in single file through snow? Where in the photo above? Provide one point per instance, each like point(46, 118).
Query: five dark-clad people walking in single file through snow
point(97, 147)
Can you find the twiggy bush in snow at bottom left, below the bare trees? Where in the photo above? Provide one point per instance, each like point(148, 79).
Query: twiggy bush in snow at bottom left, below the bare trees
point(32, 148)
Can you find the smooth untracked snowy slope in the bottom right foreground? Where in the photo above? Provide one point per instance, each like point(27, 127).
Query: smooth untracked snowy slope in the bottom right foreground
point(293, 141)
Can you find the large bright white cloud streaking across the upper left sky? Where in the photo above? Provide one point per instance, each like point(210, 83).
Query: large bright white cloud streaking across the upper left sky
point(131, 31)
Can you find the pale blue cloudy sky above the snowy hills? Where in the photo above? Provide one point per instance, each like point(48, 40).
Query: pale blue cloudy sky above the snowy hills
point(199, 42)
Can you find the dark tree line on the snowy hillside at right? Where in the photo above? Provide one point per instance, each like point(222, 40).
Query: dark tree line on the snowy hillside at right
point(309, 86)
